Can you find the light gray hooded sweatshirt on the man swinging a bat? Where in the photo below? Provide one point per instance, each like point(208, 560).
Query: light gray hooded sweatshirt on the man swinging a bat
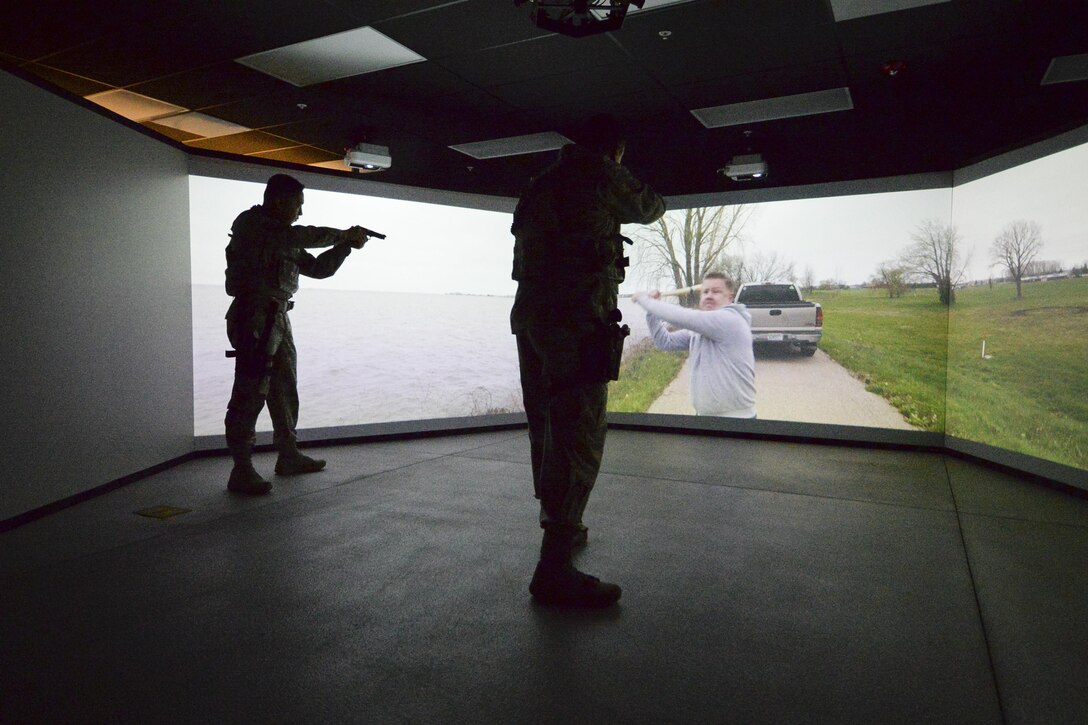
point(720, 346)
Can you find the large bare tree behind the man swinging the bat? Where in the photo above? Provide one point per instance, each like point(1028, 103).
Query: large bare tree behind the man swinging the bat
point(686, 244)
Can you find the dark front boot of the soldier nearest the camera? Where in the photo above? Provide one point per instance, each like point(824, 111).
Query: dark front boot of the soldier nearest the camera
point(557, 583)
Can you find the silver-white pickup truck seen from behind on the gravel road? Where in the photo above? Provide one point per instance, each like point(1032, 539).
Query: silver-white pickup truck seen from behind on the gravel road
point(781, 316)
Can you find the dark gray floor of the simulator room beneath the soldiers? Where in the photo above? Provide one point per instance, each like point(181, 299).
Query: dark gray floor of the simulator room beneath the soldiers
point(764, 583)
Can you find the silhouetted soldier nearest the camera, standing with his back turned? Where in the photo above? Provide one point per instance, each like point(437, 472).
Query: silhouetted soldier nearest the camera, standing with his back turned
point(568, 261)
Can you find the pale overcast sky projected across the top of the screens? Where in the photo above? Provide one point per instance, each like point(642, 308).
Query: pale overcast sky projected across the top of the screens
point(442, 250)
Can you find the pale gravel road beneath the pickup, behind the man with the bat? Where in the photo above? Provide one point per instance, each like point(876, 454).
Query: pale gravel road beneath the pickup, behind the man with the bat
point(790, 387)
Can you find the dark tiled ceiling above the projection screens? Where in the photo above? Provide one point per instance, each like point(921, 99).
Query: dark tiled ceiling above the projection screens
point(970, 89)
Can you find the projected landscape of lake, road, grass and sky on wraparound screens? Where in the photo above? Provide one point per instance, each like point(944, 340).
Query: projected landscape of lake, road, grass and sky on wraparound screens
point(415, 327)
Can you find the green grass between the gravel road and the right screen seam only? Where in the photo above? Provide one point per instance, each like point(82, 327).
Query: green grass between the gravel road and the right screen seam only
point(896, 347)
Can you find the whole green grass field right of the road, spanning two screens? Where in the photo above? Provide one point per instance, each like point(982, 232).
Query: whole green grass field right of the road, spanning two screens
point(1030, 397)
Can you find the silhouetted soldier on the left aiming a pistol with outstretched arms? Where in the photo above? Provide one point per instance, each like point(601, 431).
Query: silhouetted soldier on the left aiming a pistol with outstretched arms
point(266, 255)
